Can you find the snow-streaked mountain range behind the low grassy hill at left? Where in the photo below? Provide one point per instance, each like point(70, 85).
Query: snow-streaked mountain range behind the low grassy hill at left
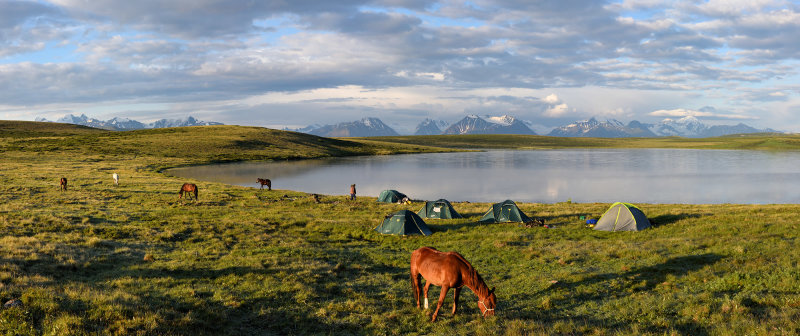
point(125, 124)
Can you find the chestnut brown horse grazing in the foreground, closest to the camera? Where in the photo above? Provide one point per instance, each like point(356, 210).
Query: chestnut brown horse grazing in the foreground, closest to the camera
point(449, 270)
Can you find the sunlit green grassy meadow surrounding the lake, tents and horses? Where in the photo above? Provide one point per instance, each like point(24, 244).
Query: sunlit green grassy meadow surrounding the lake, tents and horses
point(133, 259)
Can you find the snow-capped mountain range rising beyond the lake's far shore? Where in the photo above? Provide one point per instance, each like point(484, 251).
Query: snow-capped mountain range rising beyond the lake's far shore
point(689, 127)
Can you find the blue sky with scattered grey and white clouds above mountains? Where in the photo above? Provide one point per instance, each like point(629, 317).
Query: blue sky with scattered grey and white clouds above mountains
point(292, 63)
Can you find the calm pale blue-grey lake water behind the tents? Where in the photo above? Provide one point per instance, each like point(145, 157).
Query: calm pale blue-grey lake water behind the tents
point(543, 176)
